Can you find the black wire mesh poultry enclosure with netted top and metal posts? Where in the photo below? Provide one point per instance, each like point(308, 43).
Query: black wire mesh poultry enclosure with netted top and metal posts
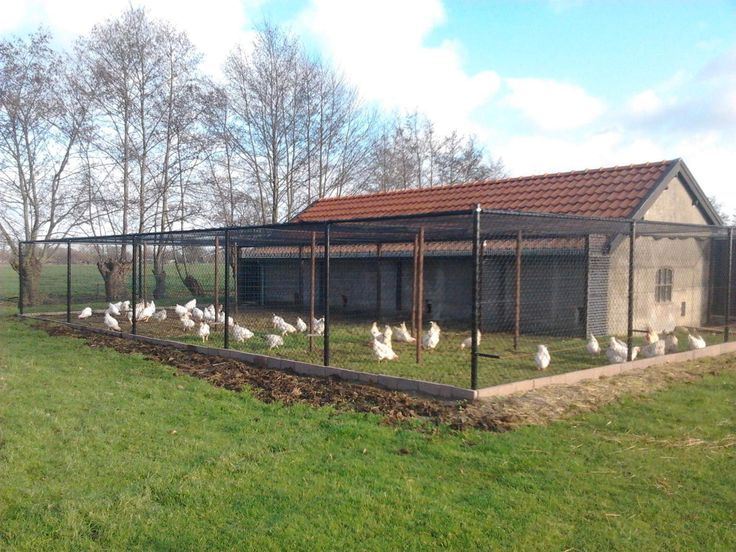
point(473, 298)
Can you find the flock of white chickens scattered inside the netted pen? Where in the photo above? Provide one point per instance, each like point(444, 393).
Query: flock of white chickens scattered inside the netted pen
point(381, 341)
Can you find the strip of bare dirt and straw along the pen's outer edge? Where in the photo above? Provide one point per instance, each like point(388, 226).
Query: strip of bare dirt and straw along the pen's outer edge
point(536, 407)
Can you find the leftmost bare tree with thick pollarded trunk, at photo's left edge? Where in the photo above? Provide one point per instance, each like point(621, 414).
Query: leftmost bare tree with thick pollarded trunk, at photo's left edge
point(41, 114)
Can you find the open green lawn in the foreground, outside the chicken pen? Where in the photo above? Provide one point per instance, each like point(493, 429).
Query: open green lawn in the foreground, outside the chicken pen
point(89, 460)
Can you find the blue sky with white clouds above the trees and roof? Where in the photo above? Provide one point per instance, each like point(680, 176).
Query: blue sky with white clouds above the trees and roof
point(547, 85)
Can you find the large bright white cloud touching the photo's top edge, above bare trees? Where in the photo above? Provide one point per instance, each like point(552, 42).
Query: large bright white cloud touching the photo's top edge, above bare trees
point(382, 47)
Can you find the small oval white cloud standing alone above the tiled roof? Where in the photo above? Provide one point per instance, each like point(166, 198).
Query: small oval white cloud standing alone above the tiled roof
point(553, 105)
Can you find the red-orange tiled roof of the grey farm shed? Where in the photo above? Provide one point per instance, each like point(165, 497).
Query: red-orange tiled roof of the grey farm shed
point(614, 192)
